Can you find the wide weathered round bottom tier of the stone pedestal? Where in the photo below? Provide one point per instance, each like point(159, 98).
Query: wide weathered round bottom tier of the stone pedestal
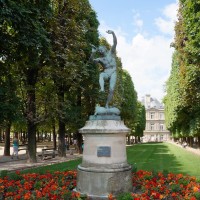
point(98, 183)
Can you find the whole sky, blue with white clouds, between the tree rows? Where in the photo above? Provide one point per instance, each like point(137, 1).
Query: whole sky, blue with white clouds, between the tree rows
point(144, 31)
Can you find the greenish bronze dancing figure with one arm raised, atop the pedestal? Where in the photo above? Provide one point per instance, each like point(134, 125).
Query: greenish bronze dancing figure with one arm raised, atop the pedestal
point(108, 62)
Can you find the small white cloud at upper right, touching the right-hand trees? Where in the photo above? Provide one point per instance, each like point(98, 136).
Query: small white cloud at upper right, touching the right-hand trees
point(166, 23)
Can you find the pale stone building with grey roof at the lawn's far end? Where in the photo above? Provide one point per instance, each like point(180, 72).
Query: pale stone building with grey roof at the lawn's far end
point(155, 130)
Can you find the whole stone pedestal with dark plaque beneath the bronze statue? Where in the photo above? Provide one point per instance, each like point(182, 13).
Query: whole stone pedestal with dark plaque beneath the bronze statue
point(104, 167)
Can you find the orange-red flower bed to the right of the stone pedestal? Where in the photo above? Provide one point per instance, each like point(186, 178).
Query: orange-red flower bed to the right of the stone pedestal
point(166, 186)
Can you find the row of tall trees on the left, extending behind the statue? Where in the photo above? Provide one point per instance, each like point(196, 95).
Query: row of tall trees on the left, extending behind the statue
point(46, 81)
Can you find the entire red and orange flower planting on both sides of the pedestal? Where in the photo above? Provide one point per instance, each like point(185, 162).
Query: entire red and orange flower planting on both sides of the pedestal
point(60, 185)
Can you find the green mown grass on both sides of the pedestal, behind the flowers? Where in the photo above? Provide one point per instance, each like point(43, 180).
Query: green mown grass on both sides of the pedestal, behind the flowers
point(150, 157)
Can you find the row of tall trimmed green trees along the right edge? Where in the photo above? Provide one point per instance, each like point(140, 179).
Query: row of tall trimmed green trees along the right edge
point(182, 102)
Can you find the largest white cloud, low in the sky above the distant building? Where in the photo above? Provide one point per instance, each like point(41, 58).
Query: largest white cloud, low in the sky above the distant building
point(148, 60)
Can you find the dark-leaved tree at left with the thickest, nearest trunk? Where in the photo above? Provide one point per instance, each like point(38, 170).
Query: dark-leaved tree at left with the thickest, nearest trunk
point(27, 50)
